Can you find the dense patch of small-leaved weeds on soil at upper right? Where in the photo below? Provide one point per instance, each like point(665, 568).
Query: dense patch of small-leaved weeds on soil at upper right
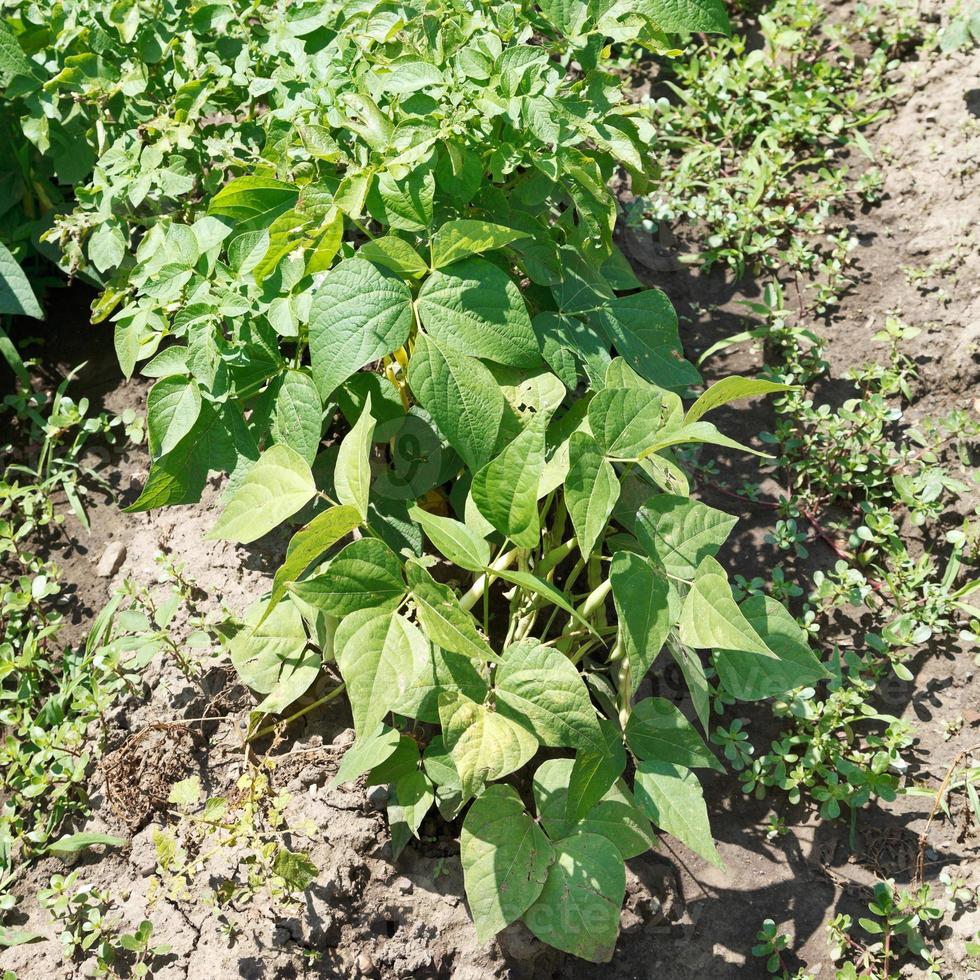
point(753, 140)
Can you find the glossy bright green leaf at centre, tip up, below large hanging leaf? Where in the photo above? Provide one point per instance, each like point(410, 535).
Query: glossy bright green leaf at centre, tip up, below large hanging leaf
point(506, 489)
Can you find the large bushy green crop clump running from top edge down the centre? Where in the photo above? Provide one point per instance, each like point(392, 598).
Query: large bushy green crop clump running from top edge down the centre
point(403, 322)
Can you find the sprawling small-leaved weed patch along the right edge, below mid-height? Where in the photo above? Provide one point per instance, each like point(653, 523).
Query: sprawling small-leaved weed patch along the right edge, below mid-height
point(856, 478)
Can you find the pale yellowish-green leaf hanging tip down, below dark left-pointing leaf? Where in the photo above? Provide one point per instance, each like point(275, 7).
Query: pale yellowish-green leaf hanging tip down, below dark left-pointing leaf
point(379, 655)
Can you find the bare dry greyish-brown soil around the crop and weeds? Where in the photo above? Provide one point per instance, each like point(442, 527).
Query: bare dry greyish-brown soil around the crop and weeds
point(683, 919)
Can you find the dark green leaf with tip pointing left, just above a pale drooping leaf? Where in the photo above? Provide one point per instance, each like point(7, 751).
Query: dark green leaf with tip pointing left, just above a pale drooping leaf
point(367, 573)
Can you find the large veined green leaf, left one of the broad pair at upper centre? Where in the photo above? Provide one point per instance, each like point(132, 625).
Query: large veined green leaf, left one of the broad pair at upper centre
point(358, 315)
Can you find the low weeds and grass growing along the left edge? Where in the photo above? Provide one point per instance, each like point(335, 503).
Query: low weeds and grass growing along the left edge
point(51, 694)
